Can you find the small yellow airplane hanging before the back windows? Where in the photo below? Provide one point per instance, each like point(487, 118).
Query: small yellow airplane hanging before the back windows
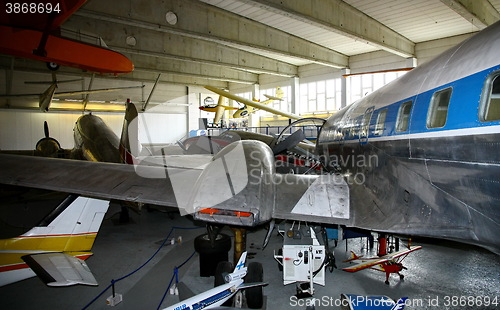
point(250, 106)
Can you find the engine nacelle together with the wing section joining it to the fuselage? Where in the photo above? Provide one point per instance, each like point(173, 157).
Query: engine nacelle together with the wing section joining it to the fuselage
point(240, 187)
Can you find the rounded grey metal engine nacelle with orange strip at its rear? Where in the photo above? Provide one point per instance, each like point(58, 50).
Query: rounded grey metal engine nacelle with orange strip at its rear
point(237, 187)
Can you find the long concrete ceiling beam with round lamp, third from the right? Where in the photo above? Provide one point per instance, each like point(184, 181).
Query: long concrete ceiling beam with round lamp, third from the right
point(201, 21)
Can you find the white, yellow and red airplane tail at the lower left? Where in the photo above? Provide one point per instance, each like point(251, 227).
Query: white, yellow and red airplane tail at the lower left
point(55, 251)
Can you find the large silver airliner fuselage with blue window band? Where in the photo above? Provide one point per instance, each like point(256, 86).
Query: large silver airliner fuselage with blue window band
point(421, 154)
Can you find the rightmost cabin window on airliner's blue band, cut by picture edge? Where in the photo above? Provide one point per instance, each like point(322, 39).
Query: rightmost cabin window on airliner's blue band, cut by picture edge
point(490, 108)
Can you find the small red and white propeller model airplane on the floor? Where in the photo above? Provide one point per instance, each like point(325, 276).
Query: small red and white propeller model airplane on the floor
point(390, 263)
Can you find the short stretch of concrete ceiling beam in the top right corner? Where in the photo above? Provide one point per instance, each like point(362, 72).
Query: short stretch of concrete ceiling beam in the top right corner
point(479, 13)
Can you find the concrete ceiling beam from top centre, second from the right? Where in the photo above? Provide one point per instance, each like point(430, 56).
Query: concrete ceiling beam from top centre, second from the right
point(341, 18)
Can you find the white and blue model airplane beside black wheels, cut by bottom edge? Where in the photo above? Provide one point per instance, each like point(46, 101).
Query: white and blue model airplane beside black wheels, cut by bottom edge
point(215, 297)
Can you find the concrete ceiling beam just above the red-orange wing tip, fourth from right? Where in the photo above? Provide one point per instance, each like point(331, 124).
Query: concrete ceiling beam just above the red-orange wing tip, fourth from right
point(135, 41)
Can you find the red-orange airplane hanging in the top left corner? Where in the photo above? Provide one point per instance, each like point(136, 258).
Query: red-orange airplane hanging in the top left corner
point(31, 30)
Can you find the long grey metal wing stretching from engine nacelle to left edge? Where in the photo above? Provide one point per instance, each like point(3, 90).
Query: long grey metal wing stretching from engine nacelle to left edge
point(103, 180)
